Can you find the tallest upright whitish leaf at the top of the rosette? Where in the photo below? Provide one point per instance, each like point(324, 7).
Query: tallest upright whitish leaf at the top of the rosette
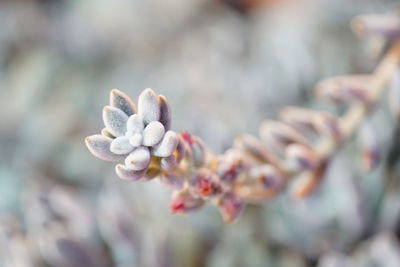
point(149, 106)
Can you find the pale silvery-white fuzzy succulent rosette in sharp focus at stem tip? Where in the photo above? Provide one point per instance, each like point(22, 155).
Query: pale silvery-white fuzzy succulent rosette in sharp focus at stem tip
point(138, 136)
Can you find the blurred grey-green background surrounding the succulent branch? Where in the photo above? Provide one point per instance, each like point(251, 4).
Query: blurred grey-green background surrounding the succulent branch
point(224, 65)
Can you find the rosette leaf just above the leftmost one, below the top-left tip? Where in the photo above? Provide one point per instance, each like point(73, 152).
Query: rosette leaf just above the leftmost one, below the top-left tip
point(115, 120)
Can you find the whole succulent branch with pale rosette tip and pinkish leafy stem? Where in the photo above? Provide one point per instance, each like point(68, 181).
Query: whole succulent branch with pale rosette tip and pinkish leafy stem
point(298, 146)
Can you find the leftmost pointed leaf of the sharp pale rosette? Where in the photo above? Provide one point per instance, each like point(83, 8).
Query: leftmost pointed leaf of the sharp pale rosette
point(99, 146)
